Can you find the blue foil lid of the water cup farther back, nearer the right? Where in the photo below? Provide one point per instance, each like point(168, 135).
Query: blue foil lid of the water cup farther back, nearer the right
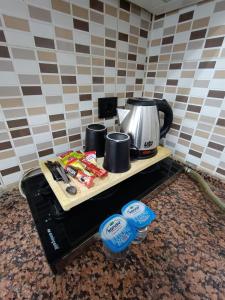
point(138, 214)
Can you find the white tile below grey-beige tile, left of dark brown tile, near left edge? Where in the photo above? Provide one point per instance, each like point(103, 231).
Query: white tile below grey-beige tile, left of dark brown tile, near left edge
point(23, 67)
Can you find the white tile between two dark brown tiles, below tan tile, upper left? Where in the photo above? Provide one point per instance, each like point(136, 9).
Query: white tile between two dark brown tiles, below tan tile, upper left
point(19, 38)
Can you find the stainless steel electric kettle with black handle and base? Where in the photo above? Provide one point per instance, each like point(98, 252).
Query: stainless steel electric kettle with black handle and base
point(140, 119)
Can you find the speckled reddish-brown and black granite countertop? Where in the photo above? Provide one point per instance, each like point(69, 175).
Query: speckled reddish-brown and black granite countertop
point(183, 256)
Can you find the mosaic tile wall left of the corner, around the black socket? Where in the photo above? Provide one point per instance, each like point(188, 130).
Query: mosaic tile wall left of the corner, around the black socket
point(56, 59)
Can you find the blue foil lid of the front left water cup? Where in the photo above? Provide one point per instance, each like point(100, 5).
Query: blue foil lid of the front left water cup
point(116, 233)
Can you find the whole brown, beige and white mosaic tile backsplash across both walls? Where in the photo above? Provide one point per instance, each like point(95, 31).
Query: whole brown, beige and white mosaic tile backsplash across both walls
point(58, 57)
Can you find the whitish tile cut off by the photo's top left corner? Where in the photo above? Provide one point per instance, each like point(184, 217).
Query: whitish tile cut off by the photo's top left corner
point(15, 8)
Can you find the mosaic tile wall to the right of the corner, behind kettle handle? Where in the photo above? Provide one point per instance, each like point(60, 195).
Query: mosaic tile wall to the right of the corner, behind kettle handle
point(186, 66)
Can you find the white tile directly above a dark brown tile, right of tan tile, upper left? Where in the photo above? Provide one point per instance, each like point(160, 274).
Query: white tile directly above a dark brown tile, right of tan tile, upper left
point(42, 29)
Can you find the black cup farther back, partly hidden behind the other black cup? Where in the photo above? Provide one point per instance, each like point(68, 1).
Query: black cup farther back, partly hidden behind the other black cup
point(95, 138)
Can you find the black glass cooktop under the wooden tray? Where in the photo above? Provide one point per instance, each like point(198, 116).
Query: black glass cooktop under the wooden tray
point(60, 232)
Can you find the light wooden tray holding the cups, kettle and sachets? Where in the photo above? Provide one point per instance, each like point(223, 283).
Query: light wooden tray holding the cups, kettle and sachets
point(68, 201)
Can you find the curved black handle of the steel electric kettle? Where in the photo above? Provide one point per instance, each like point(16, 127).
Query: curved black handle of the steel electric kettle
point(164, 106)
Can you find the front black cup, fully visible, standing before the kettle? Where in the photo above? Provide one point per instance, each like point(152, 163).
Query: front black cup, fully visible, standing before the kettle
point(117, 152)
